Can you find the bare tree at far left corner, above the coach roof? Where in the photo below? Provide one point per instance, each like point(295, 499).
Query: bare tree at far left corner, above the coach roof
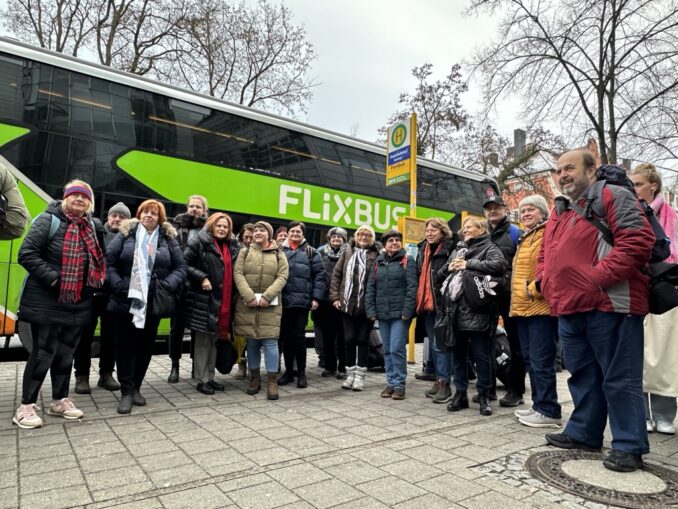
point(58, 25)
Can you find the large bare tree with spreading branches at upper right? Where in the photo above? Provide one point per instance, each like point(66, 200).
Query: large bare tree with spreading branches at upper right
point(598, 66)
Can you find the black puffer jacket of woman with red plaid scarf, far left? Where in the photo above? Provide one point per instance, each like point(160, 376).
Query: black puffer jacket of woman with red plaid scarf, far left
point(42, 258)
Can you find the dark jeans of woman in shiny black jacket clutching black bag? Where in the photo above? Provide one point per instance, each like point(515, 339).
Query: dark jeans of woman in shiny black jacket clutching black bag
point(481, 343)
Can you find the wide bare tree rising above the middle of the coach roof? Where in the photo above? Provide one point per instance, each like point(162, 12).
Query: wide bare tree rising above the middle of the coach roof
point(255, 56)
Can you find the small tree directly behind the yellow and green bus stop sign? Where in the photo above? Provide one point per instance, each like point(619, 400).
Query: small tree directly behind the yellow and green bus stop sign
point(438, 108)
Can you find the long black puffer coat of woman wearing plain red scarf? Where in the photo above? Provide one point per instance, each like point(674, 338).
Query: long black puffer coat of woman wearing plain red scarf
point(203, 260)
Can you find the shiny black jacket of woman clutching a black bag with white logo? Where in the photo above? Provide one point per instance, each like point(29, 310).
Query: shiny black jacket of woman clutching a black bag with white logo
point(485, 257)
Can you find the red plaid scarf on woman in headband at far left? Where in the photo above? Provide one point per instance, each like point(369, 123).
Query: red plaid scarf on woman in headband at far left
point(73, 259)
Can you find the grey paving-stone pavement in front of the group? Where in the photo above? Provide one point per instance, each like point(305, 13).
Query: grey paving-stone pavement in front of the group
point(317, 447)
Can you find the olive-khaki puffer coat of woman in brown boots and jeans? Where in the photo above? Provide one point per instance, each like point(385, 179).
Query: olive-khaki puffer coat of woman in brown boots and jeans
point(259, 271)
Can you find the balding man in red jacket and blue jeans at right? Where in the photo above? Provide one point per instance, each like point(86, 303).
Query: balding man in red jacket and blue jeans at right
point(600, 295)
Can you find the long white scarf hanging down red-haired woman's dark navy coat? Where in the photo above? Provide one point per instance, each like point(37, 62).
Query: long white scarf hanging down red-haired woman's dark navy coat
point(145, 248)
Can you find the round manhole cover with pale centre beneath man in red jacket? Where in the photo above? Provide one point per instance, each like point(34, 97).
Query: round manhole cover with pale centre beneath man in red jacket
point(582, 474)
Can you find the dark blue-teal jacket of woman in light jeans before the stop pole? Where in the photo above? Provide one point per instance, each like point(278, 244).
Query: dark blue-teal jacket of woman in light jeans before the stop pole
point(392, 287)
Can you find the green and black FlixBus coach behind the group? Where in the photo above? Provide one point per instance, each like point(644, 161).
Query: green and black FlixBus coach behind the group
point(133, 138)
